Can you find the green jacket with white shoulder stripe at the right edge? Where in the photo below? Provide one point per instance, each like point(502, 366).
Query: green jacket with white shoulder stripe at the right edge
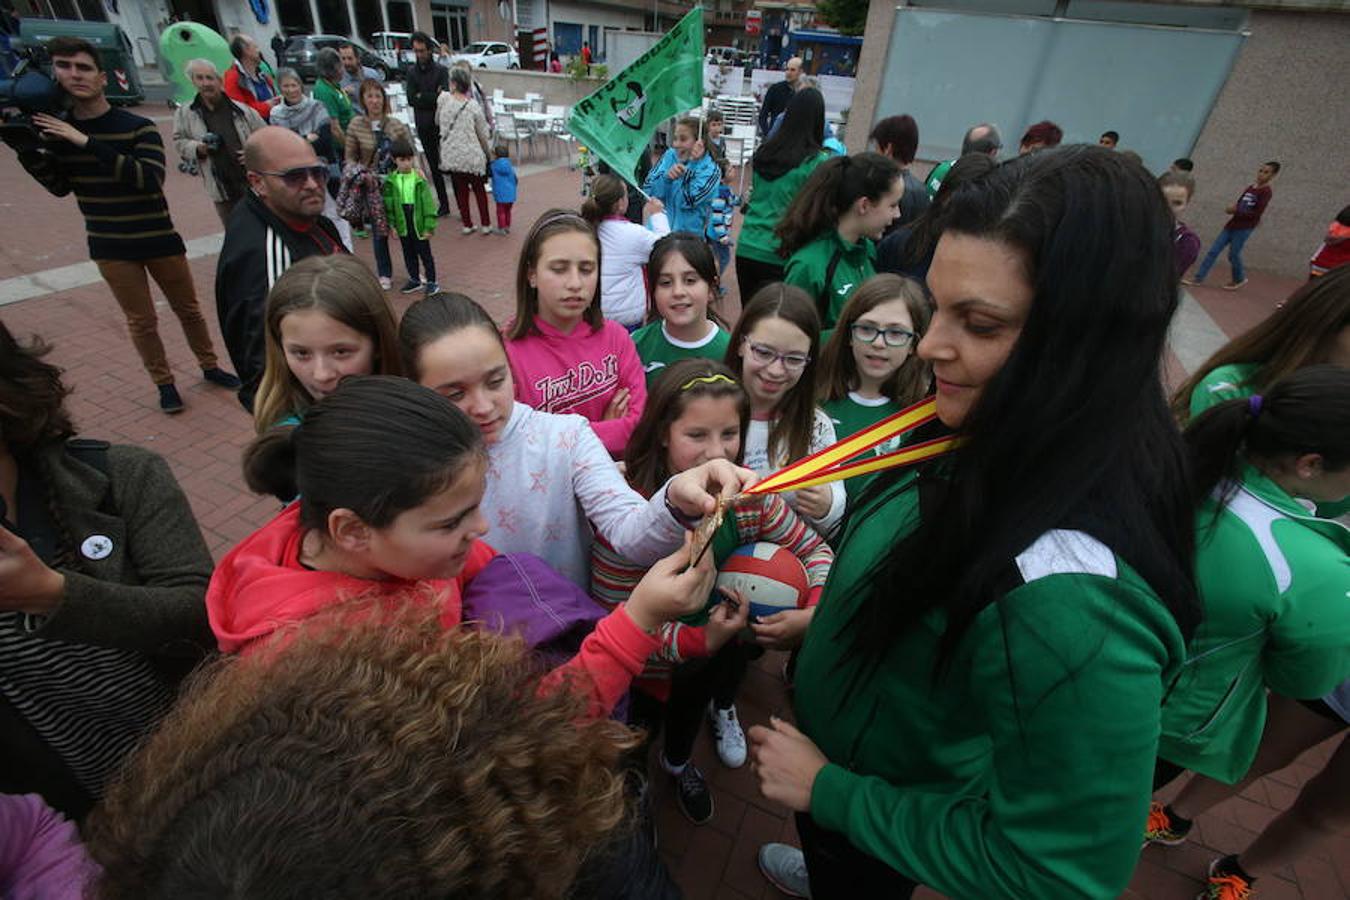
point(1274, 580)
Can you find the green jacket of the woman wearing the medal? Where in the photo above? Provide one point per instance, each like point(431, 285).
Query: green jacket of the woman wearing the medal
point(1027, 771)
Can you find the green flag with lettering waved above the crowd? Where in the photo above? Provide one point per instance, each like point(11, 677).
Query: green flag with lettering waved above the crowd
point(616, 122)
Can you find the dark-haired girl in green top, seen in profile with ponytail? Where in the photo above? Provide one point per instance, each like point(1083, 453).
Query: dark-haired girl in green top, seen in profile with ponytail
point(830, 231)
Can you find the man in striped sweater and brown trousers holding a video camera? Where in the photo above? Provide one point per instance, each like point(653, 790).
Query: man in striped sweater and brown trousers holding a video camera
point(114, 163)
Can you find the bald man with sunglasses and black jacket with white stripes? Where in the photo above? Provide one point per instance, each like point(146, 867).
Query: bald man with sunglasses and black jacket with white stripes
point(279, 223)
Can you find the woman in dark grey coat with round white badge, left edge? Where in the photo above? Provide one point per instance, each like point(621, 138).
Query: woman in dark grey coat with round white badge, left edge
point(103, 582)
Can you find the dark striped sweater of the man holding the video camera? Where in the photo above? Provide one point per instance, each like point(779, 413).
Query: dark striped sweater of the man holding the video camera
point(118, 179)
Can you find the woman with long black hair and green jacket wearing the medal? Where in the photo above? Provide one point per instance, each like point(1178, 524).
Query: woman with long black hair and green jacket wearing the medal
point(979, 693)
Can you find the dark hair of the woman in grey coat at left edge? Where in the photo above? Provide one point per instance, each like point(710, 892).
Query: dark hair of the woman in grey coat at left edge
point(32, 396)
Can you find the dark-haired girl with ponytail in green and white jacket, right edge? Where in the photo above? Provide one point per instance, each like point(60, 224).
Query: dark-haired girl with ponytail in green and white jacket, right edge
point(1272, 581)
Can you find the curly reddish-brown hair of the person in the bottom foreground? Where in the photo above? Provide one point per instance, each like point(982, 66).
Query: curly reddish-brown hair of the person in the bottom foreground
point(365, 754)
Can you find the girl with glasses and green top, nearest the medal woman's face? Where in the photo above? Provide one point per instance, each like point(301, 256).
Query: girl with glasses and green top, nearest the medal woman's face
point(870, 369)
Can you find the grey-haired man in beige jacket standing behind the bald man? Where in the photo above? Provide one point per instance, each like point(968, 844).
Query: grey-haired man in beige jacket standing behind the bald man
point(210, 136)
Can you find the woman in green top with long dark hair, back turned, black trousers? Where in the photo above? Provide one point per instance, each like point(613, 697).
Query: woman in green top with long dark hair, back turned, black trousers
point(781, 167)
